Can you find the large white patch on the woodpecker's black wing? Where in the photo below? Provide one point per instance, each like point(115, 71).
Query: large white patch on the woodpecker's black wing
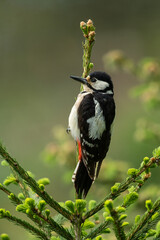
point(96, 123)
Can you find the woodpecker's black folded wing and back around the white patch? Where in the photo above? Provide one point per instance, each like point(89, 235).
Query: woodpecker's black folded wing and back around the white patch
point(94, 150)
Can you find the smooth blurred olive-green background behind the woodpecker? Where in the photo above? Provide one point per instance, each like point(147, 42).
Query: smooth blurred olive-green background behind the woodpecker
point(40, 46)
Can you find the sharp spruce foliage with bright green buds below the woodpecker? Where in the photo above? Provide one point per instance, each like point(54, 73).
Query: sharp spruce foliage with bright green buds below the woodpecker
point(86, 215)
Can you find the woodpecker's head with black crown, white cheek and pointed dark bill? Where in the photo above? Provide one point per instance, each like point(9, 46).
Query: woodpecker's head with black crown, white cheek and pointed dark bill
point(96, 81)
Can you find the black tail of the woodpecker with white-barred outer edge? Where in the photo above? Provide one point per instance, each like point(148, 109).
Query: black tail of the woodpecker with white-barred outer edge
point(82, 180)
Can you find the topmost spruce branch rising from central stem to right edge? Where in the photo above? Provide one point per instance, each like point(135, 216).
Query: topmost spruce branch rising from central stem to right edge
point(124, 185)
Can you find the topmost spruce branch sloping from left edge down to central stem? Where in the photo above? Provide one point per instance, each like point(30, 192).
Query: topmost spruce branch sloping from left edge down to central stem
point(33, 184)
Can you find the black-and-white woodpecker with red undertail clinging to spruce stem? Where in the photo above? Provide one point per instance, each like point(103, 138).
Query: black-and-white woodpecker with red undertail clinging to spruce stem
point(90, 123)
